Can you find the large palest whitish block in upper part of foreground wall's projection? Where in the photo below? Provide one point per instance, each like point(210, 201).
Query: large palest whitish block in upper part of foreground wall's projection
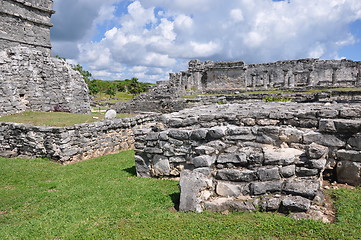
point(281, 156)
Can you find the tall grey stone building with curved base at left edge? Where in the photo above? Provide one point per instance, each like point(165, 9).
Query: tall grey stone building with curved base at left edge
point(30, 79)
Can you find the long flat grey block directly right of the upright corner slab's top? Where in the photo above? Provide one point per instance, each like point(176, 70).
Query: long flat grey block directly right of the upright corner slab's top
point(236, 175)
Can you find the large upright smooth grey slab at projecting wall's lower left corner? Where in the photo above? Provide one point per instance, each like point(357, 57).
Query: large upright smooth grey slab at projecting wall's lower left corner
point(191, 185)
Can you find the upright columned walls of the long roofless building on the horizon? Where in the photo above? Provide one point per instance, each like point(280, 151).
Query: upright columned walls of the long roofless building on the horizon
point(302, 73)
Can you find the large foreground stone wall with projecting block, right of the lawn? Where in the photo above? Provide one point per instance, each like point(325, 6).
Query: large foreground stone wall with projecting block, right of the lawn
point(245, 156)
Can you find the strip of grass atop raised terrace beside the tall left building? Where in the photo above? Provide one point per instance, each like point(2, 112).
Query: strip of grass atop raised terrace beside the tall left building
point(55, 119)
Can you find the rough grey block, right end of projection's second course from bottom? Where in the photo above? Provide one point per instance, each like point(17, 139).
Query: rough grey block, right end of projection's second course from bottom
point(305, 188)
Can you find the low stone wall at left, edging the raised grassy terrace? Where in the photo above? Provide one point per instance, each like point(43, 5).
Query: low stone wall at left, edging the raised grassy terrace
point(69, 144)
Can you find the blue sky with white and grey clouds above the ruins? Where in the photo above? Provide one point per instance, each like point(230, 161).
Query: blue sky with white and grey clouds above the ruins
point(147, 39)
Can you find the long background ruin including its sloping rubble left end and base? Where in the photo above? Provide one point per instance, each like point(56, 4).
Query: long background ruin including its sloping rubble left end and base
point(237, 77)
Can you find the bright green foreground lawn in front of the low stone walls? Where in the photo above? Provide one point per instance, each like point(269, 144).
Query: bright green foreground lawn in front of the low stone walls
point(102, 199)
